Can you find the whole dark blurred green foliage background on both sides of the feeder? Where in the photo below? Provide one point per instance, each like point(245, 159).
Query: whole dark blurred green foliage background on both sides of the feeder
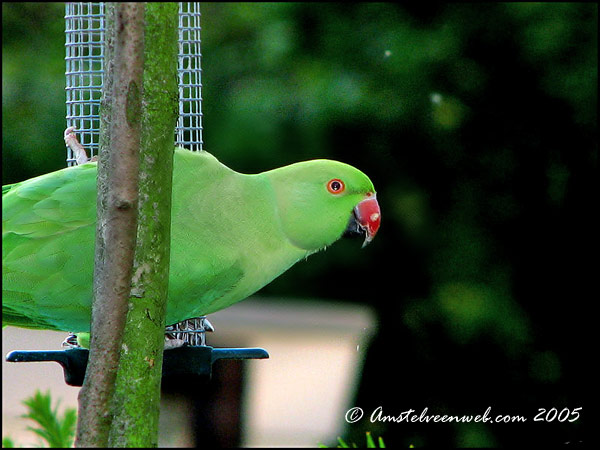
point(476, 123)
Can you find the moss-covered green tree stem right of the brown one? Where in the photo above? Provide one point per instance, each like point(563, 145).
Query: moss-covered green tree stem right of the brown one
point(137, 396)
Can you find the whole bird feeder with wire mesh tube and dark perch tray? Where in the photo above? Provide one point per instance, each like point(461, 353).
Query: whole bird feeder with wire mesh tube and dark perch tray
point(85, 68)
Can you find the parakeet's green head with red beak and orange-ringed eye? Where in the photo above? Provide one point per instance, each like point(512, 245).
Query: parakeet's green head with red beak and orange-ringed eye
point(321, 200)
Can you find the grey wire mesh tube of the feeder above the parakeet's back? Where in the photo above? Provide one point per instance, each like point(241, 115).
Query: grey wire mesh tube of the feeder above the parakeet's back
point(84, 31)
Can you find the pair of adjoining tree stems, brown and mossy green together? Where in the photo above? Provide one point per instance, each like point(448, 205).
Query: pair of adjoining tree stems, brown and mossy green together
point(119, 401)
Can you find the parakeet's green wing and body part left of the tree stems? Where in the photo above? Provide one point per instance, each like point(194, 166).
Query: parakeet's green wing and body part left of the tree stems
point(48, 226)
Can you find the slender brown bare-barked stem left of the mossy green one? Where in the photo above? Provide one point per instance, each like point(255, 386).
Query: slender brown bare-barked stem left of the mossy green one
point(118, 167)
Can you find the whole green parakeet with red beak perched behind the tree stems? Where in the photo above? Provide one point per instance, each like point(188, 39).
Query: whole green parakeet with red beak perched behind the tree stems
point(231, 234)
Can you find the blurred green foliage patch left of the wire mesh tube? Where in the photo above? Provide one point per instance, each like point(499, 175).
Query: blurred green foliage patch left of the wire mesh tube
point(33, 96)
